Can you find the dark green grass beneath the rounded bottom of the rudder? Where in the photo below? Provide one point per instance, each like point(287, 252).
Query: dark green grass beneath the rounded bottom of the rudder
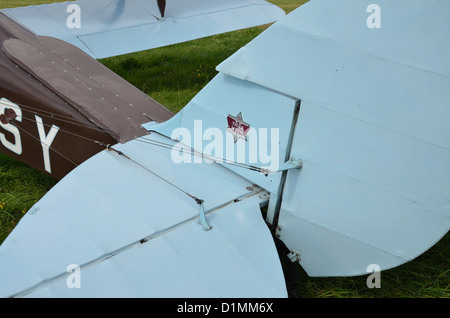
point(428, 276)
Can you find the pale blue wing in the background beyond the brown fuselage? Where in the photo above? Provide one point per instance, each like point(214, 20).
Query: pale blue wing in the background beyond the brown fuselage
point(105, 28)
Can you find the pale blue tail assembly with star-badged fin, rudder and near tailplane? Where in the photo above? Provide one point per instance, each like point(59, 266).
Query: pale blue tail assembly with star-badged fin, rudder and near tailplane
point(357, 132)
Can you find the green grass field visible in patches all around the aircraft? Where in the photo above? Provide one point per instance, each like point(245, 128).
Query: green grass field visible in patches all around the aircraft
point(172, 76)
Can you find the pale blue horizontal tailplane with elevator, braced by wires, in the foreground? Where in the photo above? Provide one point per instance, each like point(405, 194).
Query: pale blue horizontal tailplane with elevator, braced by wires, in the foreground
point(134, 234)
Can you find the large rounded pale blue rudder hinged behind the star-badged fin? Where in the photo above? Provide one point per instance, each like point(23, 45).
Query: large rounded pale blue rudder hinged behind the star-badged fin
point(372, 131)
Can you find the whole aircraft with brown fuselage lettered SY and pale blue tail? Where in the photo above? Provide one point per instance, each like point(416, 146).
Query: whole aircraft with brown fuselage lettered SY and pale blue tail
point(324, 140)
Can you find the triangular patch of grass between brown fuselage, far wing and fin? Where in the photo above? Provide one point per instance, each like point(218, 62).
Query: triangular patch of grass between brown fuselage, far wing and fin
point(173, 75)
